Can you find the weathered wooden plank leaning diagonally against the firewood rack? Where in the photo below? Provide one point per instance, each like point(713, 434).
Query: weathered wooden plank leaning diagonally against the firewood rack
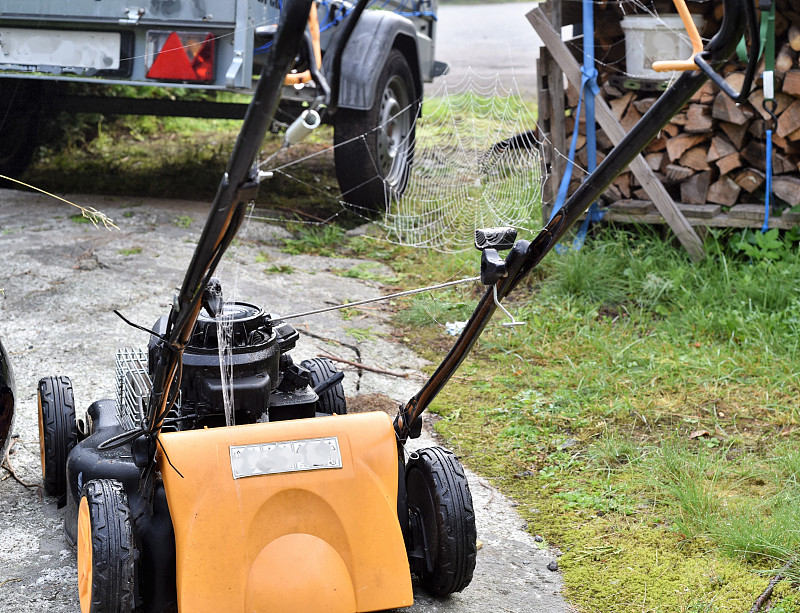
point(654, 188)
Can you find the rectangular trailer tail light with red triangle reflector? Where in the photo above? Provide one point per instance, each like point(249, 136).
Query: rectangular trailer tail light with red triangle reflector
point(180, 56)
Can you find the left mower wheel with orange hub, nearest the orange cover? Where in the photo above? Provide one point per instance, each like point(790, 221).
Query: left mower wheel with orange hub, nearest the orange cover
point(105, 549)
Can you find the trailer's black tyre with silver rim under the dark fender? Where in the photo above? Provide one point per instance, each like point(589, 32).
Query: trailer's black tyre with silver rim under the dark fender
point(374, 149)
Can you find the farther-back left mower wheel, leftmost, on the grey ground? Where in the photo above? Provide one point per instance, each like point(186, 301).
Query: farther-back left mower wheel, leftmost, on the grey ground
point(58, 431)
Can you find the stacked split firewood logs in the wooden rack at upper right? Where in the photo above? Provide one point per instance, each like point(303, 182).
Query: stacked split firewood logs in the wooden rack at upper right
point(713, 151)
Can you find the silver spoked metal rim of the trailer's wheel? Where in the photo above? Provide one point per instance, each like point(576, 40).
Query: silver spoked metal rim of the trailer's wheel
point(393, 134)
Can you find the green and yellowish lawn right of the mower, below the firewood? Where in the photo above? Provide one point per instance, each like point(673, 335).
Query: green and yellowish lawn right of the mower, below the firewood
point(644, 419)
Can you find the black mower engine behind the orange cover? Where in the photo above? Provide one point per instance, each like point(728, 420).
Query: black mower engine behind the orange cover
point(265, 384)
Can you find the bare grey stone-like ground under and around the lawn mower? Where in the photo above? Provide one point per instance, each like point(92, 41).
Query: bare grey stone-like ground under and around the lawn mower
point(61, 281)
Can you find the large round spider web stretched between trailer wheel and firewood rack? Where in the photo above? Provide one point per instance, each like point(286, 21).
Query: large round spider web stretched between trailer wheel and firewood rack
point(477, 164)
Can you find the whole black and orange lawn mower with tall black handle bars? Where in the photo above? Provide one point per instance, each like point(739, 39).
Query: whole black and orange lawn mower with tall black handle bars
point(299, 506)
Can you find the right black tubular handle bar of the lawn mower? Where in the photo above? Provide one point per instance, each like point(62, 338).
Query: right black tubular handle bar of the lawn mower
point(525, 256)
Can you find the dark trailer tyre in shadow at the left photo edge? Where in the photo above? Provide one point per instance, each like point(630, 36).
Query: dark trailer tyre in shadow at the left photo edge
point(19, 125)
